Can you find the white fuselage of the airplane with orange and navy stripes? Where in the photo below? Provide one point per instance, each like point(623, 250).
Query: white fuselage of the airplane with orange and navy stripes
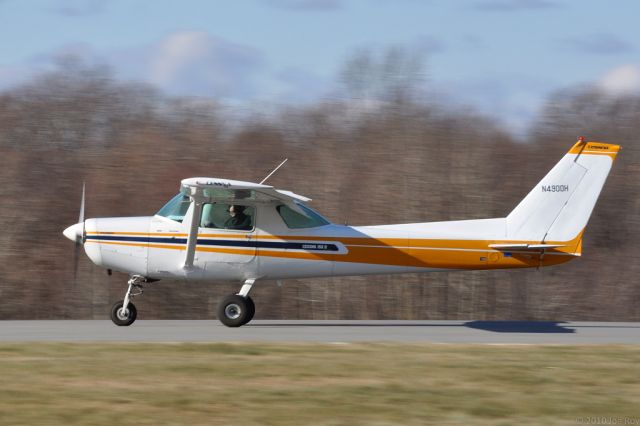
point(155, 247)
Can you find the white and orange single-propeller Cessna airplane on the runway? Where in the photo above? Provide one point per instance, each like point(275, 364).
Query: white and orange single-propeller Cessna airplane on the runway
point(221, 229)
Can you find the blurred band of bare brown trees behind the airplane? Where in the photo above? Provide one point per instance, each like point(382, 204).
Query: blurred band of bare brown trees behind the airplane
point(390, 157)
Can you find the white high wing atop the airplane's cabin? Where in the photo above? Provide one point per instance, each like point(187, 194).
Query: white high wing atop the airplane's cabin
point(227, 189)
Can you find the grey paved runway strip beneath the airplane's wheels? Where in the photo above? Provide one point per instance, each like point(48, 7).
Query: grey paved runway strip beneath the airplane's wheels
point(469, 332)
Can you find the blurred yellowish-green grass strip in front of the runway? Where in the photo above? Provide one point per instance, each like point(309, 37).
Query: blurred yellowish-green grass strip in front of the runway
point(317, 384)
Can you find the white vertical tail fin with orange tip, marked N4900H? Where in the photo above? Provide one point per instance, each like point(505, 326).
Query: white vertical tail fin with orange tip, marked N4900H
point(559, 207)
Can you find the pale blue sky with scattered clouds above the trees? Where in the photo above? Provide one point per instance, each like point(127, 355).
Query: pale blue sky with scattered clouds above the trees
point(501, 57)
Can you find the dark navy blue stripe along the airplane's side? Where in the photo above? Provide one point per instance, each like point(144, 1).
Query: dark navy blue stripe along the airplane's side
point(224, 243)
